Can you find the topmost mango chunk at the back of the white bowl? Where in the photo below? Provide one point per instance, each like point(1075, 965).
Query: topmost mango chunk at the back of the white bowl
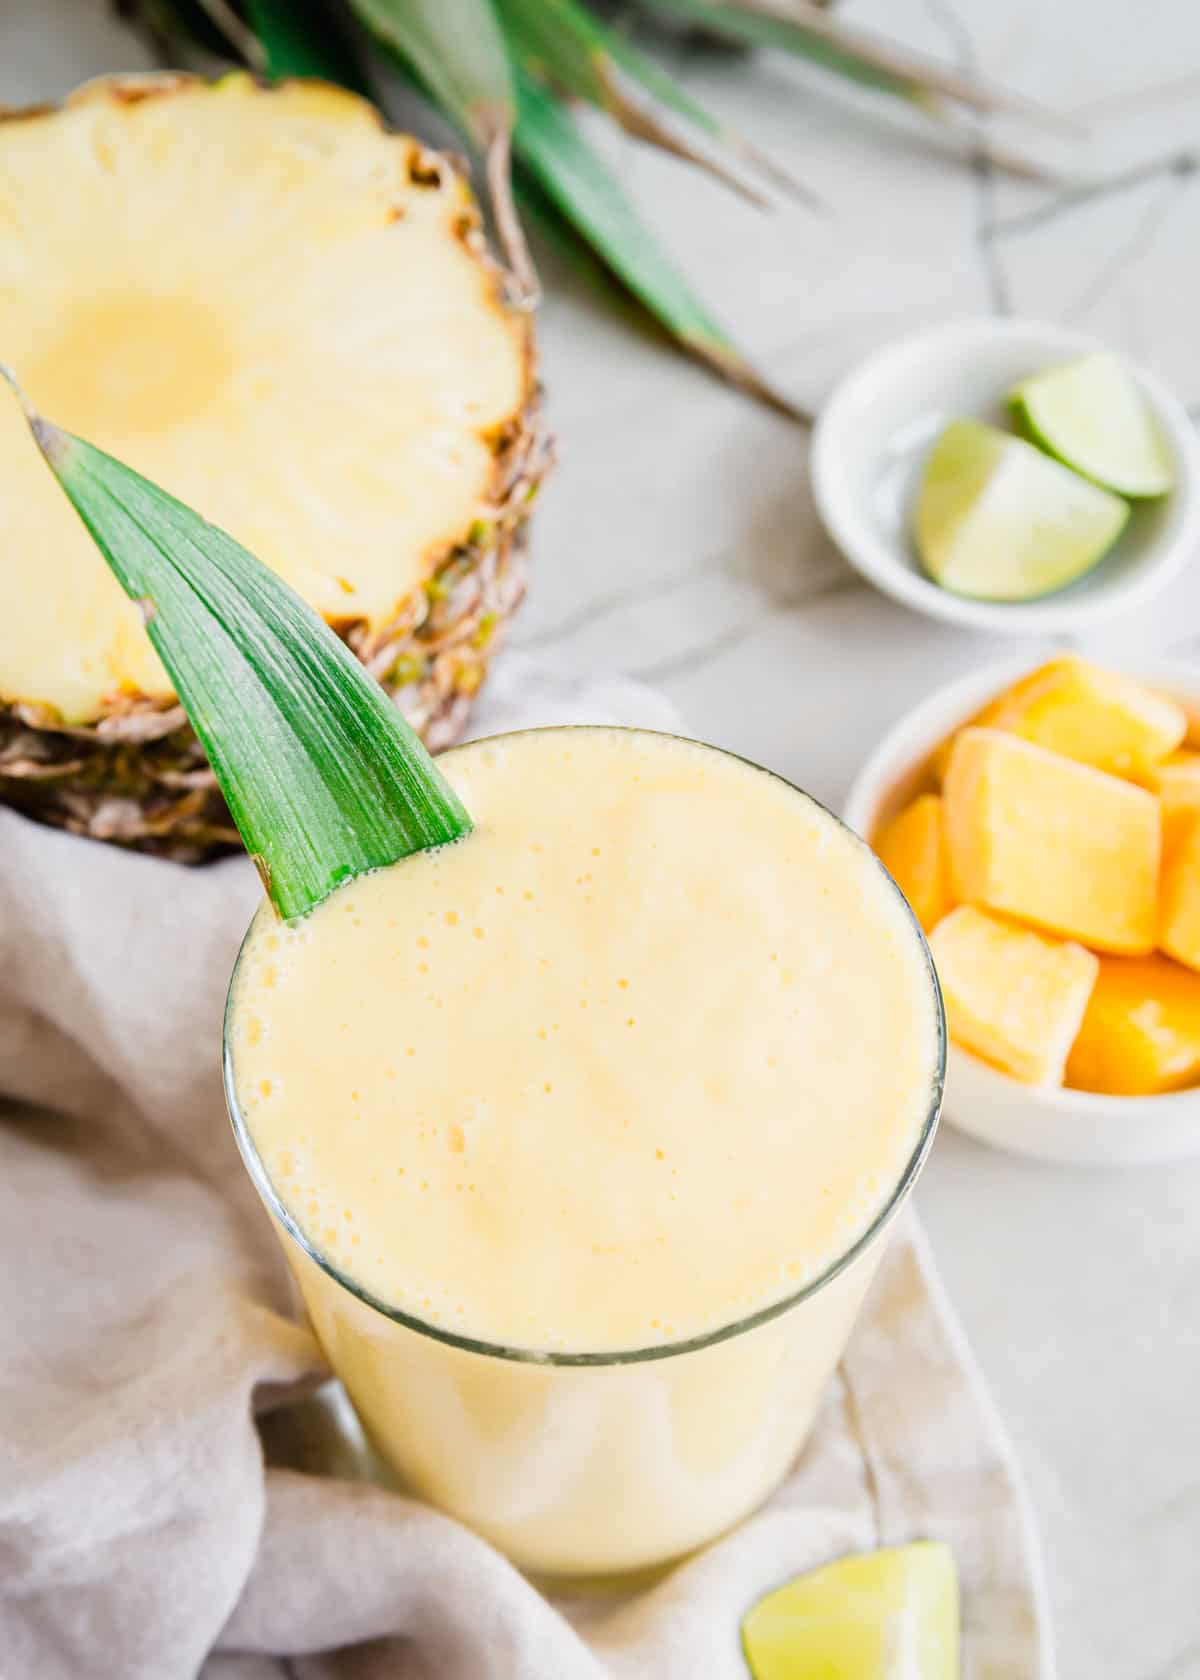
point(1095, 717)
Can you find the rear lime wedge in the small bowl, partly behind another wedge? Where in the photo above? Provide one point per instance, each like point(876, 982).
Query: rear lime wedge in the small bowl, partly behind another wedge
point(1092, 416)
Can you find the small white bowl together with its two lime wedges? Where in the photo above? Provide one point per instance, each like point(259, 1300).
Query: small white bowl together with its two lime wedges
point(1004, 525)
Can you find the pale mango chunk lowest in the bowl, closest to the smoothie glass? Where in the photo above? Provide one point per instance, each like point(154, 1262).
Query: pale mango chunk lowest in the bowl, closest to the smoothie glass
point(1013, 997)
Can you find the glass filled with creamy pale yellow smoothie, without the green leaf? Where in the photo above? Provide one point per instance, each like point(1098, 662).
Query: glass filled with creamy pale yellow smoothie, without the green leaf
point(582, 1135)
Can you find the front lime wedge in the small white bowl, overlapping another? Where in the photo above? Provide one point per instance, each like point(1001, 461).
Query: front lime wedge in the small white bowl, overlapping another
point(999, 520)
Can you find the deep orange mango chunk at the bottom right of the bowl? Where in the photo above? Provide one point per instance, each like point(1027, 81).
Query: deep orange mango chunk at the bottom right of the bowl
point(1142, 1031)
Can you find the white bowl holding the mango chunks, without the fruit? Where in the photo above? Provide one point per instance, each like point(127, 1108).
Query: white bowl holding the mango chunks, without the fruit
point(1026, 1120)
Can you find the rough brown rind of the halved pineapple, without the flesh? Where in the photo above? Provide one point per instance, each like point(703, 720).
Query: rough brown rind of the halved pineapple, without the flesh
point(135, 774)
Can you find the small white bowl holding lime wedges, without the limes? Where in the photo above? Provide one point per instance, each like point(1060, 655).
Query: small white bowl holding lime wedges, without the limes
point(875, 433)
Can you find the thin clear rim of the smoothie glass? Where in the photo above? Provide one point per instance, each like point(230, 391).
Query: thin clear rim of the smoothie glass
point(621, 1357)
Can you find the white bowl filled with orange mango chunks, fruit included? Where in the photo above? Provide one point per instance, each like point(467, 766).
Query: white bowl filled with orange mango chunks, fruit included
point(1046, 831)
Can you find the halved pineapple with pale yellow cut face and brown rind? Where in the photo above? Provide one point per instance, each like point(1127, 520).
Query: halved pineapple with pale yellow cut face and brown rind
point(290, 320)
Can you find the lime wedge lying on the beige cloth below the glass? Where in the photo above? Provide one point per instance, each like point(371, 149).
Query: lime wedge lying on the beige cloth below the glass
point(883, 1617)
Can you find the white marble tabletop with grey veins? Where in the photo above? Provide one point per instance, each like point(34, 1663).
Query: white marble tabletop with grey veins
point(680, 543)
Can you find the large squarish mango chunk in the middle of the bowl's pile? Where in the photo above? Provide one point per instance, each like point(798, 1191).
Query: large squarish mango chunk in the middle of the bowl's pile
point(1053, 843)
